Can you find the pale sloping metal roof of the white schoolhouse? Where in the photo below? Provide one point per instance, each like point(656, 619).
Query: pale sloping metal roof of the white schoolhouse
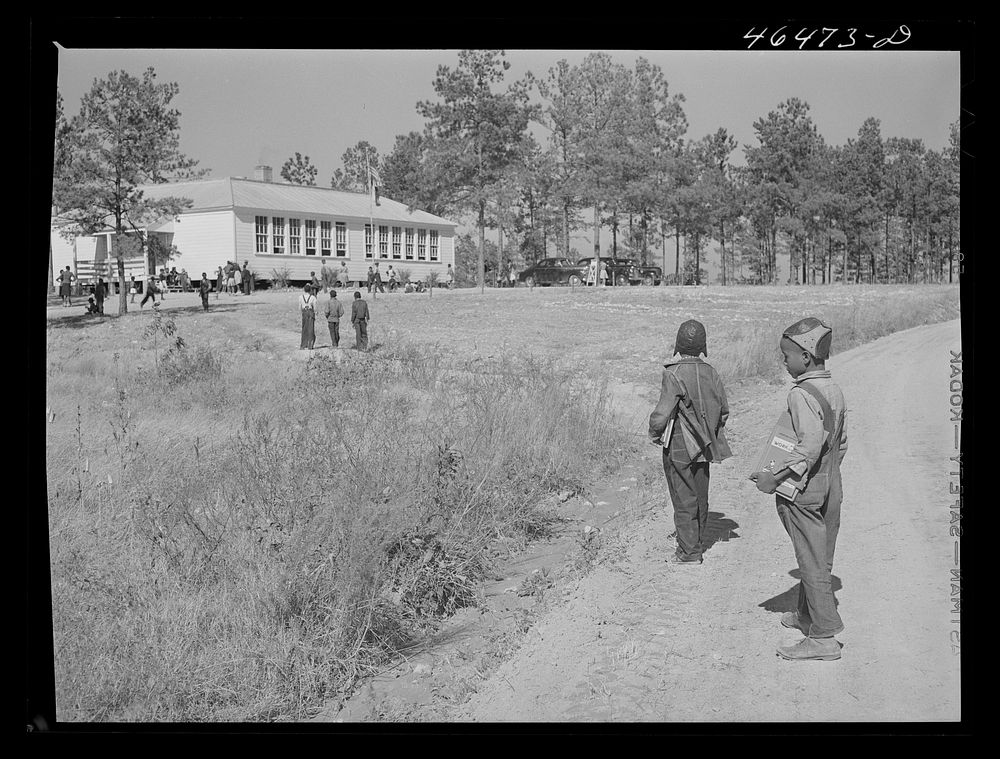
point(237, 192)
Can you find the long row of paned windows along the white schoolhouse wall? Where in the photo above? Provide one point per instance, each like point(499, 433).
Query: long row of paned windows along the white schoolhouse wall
point(409, 243)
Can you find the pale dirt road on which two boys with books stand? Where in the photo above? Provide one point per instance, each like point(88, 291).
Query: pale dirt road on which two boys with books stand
point(640, 640)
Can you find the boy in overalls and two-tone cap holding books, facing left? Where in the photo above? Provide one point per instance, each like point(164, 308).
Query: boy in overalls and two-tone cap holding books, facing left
point(812, 521)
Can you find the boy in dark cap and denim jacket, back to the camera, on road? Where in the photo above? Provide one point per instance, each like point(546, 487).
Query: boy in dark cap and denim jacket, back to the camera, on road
point(689, 421)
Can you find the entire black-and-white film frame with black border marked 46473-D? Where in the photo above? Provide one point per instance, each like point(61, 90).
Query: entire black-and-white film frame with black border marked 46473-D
point(551, 382)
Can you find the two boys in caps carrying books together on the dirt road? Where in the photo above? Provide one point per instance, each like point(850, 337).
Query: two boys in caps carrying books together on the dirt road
point(689, 423)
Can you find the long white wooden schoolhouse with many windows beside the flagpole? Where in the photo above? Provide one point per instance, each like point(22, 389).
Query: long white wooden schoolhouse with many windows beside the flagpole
point(274, 227)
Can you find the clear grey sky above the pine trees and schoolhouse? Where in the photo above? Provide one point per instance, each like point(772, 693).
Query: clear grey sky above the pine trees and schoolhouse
point(241, 108)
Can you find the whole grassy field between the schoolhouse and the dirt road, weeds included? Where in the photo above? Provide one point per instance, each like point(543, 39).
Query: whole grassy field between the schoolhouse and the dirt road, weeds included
point(239, 530)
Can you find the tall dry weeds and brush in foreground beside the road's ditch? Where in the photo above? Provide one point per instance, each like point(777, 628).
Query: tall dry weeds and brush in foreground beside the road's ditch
point(251, 579)
